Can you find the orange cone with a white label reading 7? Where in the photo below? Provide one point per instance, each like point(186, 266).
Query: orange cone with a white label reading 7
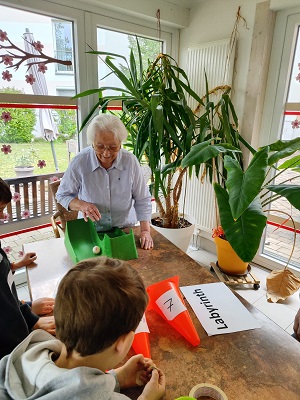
point(166, 300)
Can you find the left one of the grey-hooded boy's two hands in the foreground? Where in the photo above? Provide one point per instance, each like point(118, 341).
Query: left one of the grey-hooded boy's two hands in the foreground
point(136, 371)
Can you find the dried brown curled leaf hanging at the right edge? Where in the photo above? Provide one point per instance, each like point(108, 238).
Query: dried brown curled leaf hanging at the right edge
point(281, 284)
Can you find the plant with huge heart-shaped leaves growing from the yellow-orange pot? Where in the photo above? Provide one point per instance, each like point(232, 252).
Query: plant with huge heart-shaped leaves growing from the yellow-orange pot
point(244, 195)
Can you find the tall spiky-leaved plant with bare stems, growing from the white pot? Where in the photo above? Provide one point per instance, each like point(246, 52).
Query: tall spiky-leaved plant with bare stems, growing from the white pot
point(162, 126)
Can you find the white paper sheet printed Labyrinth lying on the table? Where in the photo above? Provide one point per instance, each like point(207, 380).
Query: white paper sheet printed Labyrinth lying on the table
point(218, 309)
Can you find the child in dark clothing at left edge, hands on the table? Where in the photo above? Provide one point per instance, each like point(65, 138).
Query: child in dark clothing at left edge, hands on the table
point(17, 318)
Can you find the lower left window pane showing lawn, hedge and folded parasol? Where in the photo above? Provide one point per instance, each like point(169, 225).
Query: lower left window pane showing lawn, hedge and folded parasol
point(37, 138)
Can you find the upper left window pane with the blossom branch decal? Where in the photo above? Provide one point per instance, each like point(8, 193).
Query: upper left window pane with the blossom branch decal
point(53, 38)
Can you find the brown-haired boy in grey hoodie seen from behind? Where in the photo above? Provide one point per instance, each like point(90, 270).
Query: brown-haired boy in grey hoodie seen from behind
point(98, 306)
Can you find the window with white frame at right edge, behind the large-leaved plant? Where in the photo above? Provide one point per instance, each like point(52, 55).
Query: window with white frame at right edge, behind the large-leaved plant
point(282, 121)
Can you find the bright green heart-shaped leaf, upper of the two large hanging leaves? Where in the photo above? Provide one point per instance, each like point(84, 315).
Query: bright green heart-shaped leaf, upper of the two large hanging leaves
point(242, 186)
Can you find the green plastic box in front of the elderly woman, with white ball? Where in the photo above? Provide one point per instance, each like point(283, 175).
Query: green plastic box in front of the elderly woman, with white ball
point(81, 237)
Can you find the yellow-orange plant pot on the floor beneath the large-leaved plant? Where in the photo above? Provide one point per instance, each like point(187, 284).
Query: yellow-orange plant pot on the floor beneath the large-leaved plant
point(228, 260)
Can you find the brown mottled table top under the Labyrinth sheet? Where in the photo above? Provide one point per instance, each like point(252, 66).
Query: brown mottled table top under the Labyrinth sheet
point(259, 364)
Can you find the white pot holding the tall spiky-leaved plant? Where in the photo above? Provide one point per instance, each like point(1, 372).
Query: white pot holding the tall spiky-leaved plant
point(180, 237)
